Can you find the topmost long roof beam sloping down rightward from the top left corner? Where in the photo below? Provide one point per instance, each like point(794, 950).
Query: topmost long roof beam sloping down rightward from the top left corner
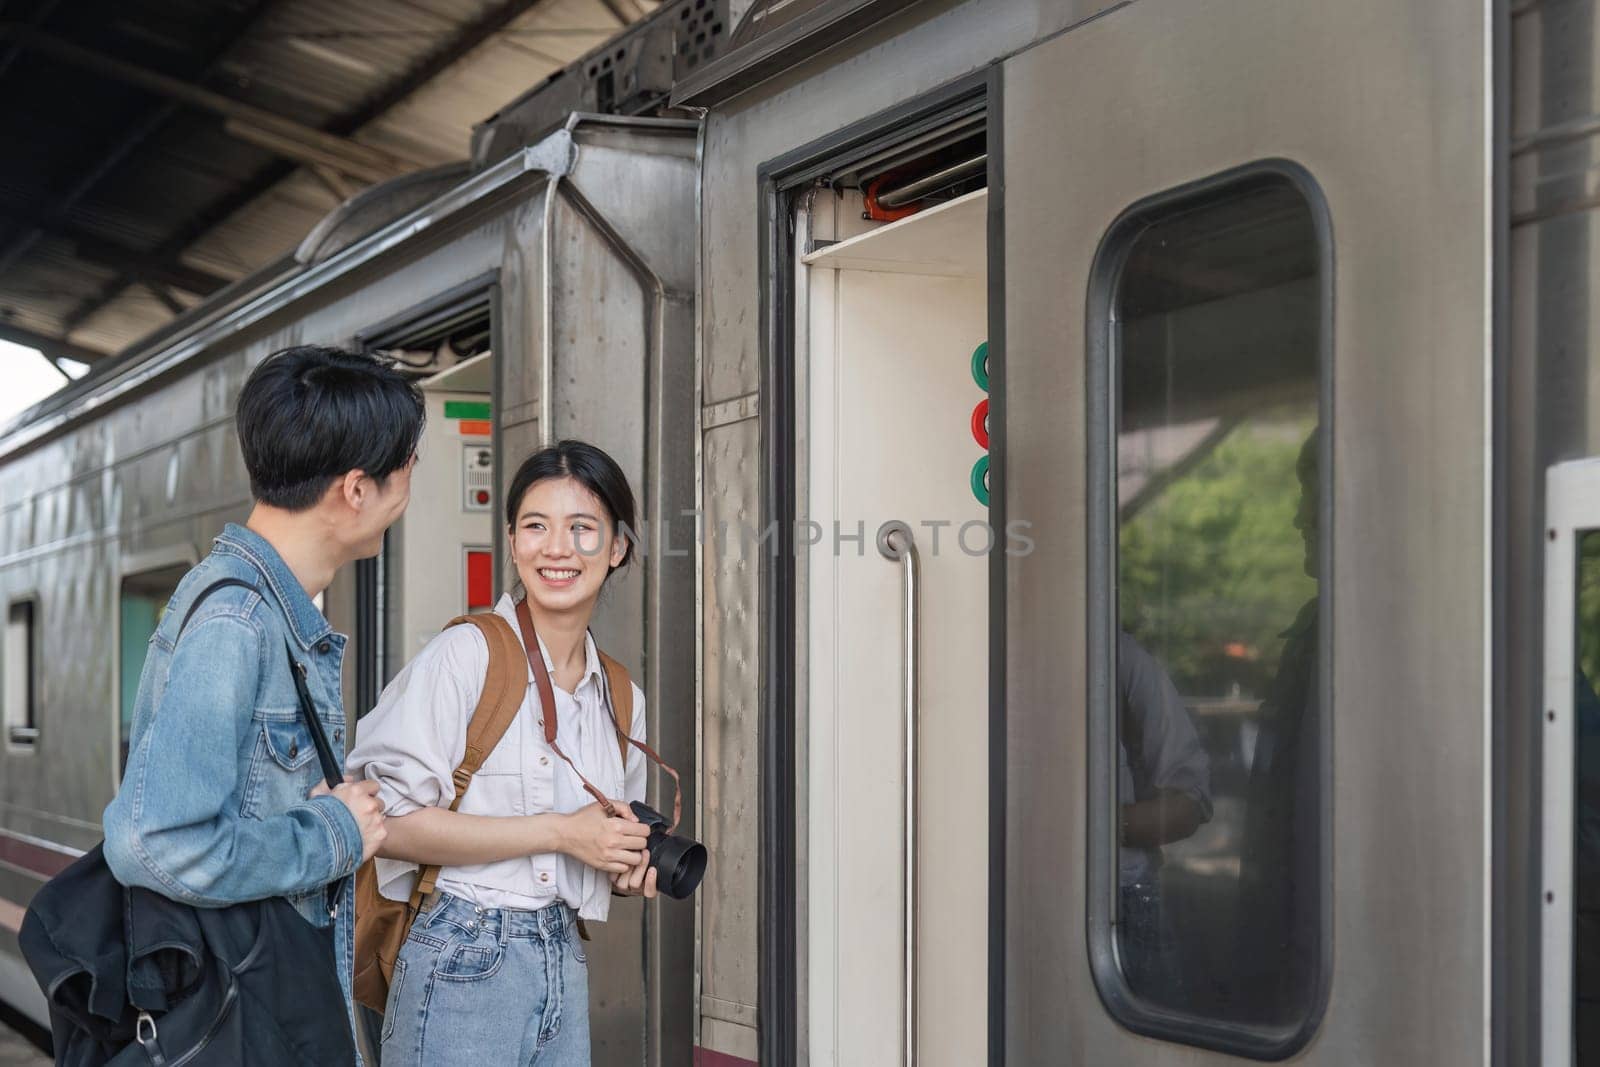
point(289, 138)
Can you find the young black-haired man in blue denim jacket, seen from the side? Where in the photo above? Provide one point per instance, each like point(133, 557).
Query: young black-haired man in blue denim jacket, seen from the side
point(223, 799)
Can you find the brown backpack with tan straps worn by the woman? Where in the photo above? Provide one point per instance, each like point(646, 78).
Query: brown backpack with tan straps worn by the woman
point(383, 925)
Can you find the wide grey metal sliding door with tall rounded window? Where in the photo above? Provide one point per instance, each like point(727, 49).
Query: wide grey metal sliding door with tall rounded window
point(1242, 401)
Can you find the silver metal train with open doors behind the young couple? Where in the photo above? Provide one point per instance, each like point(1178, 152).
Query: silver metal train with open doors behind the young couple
point(1122, 553)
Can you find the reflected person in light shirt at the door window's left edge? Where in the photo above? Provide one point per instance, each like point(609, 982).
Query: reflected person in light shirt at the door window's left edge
point(1166, 794)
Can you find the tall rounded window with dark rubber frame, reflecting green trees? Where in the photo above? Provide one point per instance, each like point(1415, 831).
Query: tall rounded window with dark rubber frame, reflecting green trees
point(1214, 308)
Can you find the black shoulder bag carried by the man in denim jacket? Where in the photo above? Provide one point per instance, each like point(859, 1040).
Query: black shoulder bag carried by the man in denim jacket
point(137, 978)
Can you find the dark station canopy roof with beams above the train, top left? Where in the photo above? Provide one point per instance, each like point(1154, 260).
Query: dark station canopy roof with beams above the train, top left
point(159, 151)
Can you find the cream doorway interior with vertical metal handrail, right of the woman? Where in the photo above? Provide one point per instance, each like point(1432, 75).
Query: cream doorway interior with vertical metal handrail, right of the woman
point(895, 518)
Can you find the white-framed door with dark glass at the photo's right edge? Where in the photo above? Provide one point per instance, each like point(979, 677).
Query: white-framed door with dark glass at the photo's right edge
point(1570, 913)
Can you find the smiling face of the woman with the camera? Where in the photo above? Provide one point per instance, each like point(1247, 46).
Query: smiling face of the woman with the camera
point(564, 545)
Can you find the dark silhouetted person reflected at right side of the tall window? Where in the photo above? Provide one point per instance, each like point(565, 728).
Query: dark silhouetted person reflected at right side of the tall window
point(1281, 863)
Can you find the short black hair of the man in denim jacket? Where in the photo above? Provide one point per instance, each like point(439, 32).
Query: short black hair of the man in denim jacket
point(311, 414)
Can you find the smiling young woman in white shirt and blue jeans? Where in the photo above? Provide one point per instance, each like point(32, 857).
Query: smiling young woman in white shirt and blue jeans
point(494, 970)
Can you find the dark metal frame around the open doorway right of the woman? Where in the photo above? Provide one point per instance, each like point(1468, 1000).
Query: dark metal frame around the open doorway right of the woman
point(780, 185)
